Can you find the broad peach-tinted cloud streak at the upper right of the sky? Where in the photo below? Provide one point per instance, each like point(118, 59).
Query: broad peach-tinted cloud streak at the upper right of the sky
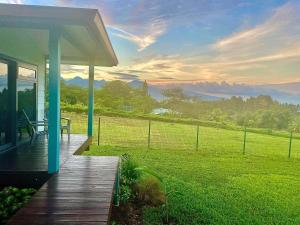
point(277, 38)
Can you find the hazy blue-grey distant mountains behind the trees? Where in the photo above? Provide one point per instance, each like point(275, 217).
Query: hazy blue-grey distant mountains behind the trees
point(288, 92)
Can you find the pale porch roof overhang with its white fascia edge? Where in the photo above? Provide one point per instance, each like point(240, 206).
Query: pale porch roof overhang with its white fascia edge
point(84, 37)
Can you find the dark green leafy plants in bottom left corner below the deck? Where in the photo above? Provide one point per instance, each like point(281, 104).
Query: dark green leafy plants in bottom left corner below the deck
point(11, 200)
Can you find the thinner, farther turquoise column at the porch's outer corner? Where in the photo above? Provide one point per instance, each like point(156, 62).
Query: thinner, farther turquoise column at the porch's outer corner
point(91, 101)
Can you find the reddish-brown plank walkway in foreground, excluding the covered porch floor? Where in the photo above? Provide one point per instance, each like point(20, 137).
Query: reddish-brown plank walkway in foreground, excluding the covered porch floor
point(81, 193)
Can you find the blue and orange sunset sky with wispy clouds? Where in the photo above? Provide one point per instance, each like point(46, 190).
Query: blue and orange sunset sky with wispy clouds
point(182, 41)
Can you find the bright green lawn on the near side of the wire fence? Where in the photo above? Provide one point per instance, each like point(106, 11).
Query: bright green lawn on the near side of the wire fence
point(220, 188)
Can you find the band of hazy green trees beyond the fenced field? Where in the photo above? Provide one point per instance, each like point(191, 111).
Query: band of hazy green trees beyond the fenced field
point(118, 96)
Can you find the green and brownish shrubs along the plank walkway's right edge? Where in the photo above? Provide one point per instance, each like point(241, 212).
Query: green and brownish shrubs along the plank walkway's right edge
point(139, 188)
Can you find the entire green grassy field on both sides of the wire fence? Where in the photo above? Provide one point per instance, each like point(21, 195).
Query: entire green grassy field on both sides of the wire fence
point(218, 184)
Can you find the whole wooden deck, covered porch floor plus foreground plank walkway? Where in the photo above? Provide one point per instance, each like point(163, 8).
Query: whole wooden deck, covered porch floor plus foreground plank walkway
point(81, 193)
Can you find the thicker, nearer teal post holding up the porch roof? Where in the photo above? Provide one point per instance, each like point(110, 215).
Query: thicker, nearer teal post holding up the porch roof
point(54, 101)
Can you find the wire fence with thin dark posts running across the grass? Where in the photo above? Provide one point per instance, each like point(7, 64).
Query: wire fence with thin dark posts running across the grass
point(146, 134)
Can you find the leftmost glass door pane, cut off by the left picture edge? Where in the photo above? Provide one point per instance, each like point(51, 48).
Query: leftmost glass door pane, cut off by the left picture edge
point(5, 115)
